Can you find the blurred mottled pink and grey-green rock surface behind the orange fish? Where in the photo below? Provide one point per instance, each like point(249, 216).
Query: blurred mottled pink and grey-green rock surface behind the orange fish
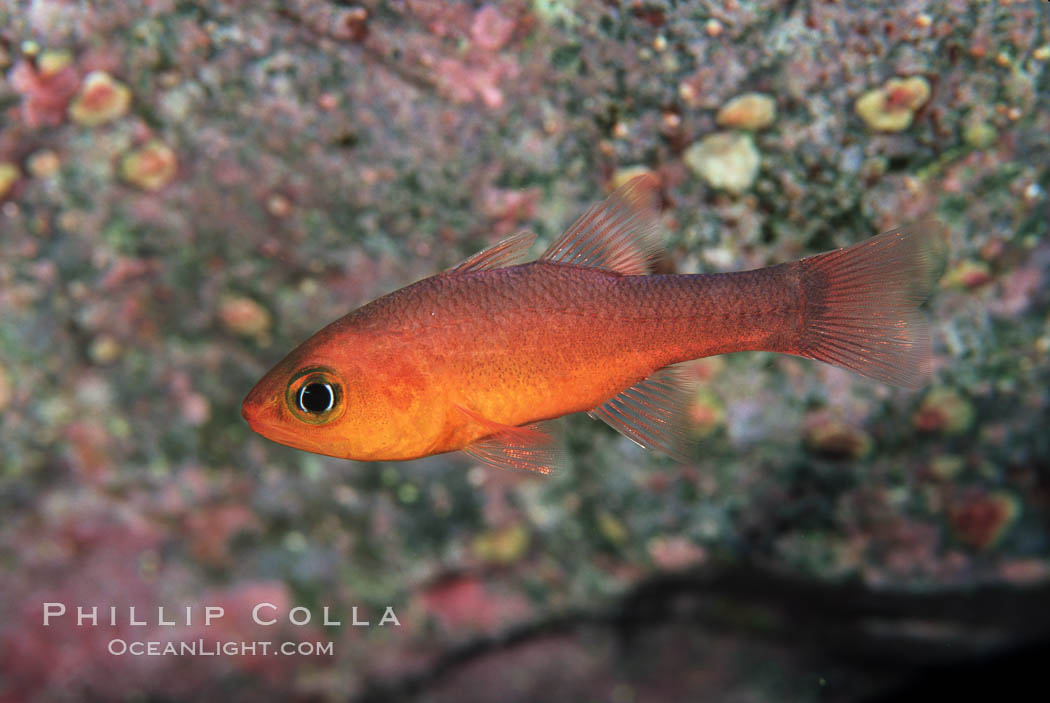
point(191, 189)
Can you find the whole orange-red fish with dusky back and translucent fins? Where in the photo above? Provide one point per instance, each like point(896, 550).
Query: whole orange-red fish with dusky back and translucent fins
point(476, 357)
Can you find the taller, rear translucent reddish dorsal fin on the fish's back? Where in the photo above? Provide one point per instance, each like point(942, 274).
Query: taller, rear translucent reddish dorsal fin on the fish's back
point(620, 233)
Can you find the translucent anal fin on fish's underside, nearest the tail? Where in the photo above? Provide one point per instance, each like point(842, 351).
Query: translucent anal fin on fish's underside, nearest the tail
point(653, 413)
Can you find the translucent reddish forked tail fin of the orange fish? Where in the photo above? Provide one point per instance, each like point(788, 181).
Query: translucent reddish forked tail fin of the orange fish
point(863, 304)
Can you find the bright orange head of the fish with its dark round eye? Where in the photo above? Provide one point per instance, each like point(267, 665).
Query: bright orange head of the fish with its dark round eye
point(335, 395)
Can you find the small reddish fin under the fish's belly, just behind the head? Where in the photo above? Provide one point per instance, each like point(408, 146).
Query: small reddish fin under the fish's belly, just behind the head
point(517, 449)
